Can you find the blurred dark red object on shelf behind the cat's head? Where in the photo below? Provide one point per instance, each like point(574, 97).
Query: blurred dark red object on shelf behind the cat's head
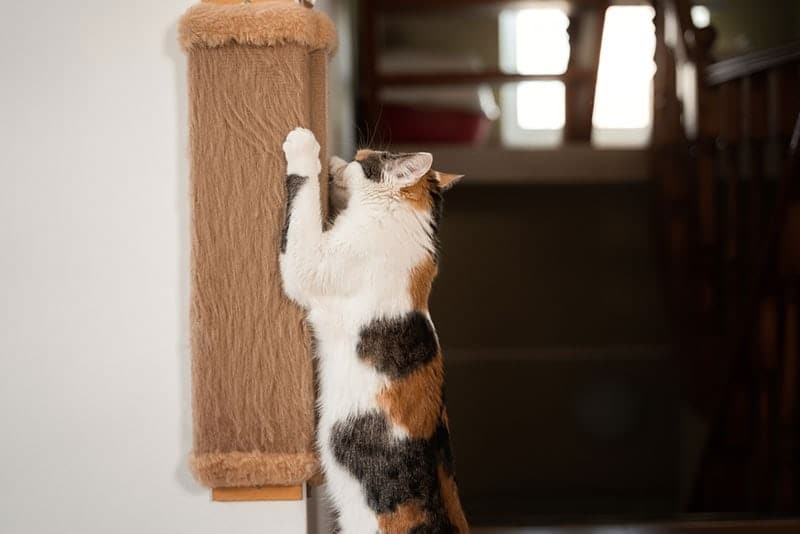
point(402, 124)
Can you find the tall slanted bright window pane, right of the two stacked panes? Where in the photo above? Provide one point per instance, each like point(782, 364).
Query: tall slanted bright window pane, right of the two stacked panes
point(624, 96)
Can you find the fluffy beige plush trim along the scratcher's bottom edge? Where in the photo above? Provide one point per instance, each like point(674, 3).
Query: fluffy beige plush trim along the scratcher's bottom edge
point(252, 469)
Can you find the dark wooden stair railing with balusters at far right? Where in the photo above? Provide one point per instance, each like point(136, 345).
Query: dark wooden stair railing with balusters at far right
point(729, 207)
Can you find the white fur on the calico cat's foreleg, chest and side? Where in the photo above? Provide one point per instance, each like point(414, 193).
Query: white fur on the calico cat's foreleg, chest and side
point(345, 277)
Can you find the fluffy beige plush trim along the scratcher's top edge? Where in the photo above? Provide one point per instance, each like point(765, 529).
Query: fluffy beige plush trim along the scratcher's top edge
point(260, 24)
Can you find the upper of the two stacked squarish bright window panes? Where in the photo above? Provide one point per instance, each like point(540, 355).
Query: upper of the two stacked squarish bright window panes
point(542, 42)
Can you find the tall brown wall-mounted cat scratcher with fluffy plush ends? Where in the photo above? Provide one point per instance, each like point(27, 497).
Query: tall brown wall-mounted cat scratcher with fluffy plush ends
point(256, 71)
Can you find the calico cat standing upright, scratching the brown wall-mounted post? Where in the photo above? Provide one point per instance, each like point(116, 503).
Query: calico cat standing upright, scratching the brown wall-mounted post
point(364, 279)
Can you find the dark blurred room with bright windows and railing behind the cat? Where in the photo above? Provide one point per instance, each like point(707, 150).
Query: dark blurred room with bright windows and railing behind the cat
point(620, 336)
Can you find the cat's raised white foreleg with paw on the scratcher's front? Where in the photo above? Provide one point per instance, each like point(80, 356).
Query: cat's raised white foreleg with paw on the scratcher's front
point(302, 236)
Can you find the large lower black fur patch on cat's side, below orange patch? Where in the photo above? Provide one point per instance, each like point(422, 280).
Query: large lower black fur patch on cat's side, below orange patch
point(391, 471)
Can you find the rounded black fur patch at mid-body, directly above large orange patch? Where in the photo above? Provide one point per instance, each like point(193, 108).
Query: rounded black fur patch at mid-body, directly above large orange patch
point(398, 346)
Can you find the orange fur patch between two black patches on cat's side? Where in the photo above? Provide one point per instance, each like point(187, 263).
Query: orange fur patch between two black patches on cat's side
point(415, 402)
